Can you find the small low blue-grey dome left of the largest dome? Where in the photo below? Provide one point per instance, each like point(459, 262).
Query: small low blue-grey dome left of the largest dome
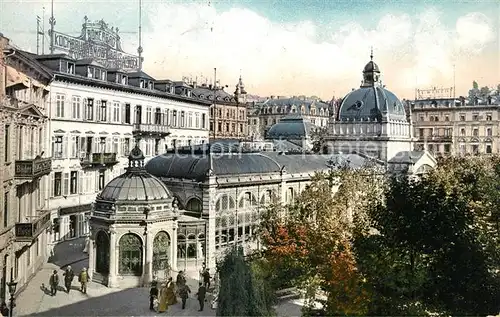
point(293, 127)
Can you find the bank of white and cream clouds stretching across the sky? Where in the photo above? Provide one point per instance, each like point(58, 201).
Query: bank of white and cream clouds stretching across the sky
point(300, 57)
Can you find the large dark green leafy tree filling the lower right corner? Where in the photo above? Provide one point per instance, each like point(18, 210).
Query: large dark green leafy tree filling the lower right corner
point(437, 244)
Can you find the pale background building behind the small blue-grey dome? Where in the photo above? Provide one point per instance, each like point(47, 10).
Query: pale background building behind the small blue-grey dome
point(262, 115)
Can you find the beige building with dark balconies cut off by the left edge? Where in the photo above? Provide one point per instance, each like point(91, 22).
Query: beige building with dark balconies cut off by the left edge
point(24, 166)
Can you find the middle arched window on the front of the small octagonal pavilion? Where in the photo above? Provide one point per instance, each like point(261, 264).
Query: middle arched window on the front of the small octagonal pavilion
point(130, 255)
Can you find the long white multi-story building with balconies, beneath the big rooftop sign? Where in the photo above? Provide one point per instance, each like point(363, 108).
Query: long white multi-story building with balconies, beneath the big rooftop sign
point(96, 116)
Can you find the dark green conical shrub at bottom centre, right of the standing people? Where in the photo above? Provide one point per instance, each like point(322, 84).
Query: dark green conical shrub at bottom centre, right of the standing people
point(243, 292)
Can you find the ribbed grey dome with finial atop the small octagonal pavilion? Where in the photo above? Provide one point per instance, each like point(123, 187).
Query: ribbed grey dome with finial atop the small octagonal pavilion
point(136, 184)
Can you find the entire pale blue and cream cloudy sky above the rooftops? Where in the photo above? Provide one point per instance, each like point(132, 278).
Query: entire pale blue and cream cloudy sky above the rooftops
point(294, 47)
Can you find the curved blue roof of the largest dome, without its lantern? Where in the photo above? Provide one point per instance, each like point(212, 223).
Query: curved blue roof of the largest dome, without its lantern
point(370, 103)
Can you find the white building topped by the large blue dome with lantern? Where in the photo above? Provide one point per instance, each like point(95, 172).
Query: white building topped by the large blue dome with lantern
point(372, 121)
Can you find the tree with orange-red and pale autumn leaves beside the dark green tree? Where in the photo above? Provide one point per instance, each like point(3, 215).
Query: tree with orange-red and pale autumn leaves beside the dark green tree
point(310, 239)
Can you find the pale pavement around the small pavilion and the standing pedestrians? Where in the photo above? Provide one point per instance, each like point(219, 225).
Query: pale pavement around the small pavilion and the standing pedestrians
point(35, 300)
